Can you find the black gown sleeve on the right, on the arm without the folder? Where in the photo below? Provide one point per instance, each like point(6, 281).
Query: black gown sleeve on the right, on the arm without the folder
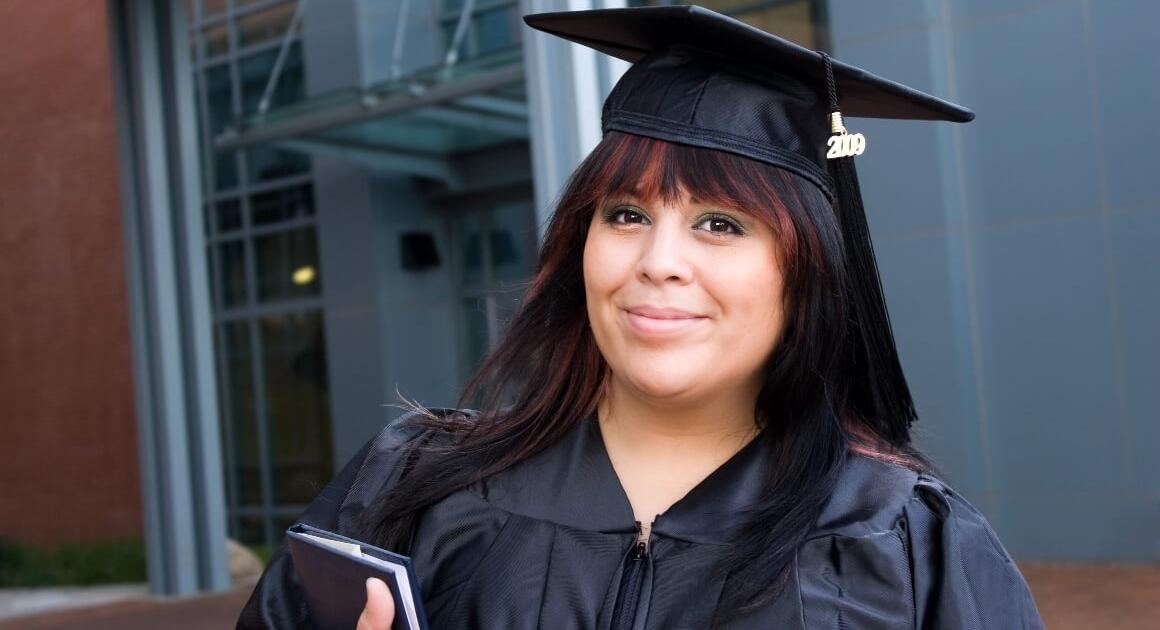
point(963, 577)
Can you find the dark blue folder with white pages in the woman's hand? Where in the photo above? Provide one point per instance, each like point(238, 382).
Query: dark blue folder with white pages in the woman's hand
point(336, 582)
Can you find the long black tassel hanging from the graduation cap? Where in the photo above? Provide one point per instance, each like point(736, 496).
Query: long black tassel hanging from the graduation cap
point(880, 393)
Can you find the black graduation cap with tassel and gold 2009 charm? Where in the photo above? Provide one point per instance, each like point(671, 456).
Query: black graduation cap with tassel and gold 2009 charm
point(705, 79)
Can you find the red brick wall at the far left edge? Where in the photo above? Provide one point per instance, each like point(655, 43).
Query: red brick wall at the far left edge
point(68, 430)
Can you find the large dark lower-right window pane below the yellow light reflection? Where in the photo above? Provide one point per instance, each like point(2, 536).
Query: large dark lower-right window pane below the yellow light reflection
point(294, 358)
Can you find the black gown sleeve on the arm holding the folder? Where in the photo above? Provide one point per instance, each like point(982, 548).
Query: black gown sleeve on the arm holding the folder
point(278, 600)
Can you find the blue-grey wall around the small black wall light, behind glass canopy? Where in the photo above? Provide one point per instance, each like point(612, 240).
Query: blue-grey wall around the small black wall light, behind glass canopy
point(387, 330)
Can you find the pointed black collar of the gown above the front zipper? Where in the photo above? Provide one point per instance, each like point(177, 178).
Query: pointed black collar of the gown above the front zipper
point(574, 484)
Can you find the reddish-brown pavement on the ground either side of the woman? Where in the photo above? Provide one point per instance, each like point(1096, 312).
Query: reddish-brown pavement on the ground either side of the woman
point(1070, 598)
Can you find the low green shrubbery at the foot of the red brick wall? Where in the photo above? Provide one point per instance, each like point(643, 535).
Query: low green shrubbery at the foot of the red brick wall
point(82, 564)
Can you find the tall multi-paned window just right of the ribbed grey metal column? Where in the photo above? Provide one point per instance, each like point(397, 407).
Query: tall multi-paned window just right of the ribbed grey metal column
point(287, 351)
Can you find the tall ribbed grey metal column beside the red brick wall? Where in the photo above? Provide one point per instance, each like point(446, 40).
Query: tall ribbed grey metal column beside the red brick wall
point(176, 396)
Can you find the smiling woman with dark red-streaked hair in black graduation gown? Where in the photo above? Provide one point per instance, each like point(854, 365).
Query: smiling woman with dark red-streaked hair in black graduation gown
point(697, 418)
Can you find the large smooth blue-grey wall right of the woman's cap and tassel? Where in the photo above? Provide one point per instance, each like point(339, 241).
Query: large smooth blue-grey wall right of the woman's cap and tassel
point(1019, 256)
